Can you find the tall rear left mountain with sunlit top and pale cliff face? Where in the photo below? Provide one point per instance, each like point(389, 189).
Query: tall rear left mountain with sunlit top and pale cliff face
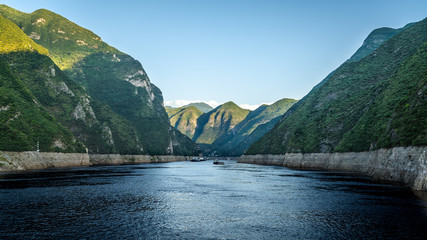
point(108, 76)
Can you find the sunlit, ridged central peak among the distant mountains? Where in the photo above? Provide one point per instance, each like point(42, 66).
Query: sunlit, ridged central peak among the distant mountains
point(213, 124)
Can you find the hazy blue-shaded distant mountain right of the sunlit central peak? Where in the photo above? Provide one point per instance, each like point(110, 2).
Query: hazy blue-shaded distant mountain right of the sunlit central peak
point(235, 142)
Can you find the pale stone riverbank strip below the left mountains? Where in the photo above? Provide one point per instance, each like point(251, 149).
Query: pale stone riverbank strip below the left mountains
point(32, 160)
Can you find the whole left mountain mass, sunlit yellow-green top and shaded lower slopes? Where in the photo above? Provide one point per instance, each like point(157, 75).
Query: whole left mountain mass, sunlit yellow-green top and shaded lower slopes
point(98, 97)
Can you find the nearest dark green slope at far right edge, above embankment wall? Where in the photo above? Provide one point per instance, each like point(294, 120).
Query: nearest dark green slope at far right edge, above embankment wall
point(399, 116)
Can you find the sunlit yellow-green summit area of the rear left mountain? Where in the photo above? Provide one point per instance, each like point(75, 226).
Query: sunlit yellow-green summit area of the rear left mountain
point(67, 42)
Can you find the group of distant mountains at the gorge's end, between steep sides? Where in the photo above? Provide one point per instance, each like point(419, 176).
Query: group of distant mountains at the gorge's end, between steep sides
point(227, 130)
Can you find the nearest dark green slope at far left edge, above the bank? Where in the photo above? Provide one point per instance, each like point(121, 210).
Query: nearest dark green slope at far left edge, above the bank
point(24, 122)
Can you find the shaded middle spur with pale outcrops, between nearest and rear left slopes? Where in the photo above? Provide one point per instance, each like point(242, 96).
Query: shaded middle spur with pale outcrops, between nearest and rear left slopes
point(72, 107)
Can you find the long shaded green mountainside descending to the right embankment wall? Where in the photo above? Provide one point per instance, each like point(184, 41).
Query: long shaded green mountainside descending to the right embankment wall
point(324, 119)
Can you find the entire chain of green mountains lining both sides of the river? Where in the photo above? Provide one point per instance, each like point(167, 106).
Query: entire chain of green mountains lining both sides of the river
point(65, 90)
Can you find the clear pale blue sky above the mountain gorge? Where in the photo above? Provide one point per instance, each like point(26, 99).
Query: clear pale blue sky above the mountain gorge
point(246, 51)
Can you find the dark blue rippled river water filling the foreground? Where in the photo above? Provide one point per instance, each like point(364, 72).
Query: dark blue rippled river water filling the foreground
point(199, 200)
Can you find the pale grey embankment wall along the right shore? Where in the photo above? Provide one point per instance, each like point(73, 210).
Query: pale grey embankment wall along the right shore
point(400, 164)
